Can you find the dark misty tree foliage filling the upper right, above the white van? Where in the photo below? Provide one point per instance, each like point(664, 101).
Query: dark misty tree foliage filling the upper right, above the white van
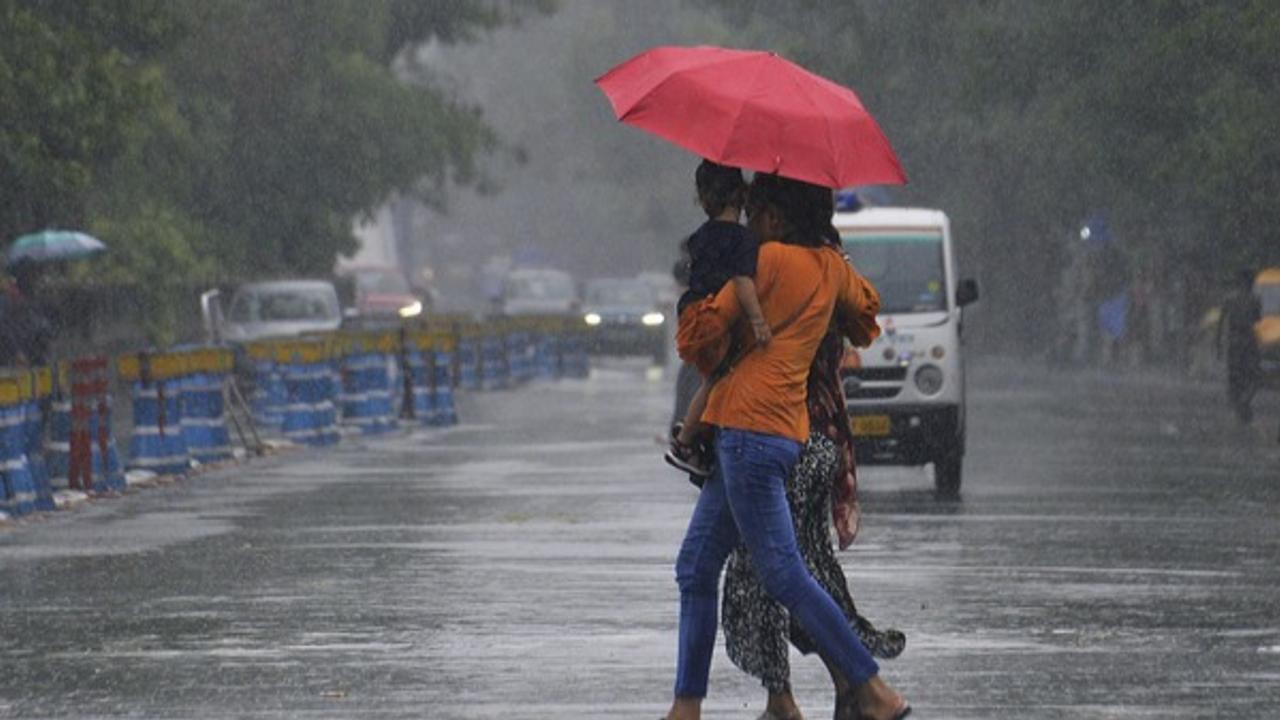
point(1023, 119)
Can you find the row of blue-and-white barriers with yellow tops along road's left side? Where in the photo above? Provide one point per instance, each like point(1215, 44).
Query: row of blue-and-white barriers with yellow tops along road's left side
point(57, 423)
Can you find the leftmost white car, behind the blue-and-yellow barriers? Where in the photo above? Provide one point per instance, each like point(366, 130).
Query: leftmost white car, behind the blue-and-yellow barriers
point(272, 309)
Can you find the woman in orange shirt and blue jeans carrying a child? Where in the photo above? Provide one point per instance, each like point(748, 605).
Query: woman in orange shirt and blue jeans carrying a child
point(761, 421)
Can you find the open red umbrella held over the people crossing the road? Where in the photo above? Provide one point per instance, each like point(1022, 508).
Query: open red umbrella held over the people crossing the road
point(753, 111)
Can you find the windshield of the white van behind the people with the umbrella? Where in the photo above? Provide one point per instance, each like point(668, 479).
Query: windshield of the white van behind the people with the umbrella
point(906, 267)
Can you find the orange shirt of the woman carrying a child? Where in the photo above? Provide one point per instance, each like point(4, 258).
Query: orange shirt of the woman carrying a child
point(808, 290)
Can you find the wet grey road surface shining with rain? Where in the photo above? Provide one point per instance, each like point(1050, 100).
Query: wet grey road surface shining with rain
point(1114, 555)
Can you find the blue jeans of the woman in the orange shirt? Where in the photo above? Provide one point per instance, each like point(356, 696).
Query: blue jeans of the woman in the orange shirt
point(747, 495)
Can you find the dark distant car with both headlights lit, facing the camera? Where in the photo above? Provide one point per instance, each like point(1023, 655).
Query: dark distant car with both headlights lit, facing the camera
point(625, 318)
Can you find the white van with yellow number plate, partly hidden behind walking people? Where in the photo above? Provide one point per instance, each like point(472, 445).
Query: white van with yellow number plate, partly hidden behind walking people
point(906, 394)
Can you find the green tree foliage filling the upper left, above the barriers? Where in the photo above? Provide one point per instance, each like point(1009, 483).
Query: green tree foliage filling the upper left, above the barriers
point(227, 140)
